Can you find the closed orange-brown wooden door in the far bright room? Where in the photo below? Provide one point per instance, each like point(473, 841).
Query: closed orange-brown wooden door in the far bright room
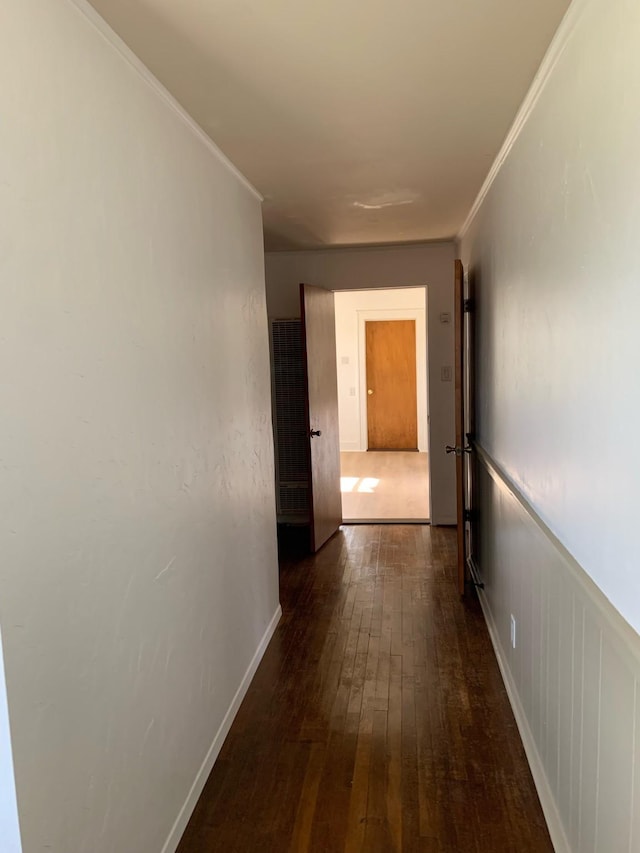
point(392, 406)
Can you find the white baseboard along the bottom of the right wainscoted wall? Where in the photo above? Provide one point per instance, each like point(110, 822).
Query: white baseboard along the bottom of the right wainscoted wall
point(547, 800)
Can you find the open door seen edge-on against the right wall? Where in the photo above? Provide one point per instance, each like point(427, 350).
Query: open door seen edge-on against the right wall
point(465, 416)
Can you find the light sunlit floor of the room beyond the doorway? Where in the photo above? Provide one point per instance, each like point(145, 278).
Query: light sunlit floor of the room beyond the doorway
point(382, 485)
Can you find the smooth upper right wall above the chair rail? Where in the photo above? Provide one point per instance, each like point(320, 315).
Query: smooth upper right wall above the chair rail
point(554, 251)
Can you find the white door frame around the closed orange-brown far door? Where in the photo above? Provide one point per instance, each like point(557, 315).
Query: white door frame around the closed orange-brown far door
point(422, 355)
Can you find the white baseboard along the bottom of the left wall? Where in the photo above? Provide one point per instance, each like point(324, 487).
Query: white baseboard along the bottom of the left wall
point(186, 811)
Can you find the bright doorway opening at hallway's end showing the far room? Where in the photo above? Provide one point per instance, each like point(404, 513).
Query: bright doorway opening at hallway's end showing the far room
point(383, 480)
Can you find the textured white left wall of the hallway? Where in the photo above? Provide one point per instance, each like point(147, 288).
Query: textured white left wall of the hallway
point(139, 573)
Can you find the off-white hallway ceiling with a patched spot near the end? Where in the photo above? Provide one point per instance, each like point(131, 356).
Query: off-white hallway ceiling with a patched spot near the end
point(360, 121)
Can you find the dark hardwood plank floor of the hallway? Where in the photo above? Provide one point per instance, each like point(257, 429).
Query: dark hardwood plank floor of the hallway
point(377, 720)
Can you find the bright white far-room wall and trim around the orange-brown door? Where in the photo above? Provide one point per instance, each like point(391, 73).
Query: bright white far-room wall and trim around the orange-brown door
point(353, 309)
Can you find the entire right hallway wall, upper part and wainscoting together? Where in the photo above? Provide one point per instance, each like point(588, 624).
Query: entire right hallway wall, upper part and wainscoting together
point(553, 250)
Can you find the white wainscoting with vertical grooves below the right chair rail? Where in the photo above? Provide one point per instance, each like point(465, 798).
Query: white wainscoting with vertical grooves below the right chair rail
point(572, 677)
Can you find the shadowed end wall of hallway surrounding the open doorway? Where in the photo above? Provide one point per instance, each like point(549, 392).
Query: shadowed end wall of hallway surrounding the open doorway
point(429, 265)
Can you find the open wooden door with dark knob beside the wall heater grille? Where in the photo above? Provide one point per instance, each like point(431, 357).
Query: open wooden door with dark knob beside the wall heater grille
point(319, 338)
